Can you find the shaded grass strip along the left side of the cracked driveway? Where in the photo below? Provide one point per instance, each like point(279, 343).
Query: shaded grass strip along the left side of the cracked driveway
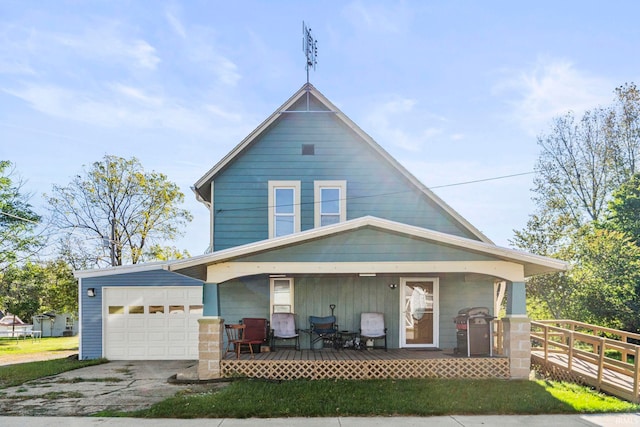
point(14, 375)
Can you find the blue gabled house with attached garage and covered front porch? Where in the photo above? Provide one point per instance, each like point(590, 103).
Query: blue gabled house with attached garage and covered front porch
point(309, 215)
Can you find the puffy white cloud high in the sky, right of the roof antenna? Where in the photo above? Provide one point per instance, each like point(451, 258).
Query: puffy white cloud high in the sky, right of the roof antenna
point(551, 88)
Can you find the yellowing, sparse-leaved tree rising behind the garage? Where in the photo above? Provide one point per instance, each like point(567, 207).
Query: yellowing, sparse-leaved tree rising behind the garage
point(119, 210)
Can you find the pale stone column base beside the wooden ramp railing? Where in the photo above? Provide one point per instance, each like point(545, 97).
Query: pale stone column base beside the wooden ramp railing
point(517, 345)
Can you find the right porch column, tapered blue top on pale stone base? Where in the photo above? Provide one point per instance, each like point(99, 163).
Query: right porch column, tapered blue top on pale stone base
point(517, 331)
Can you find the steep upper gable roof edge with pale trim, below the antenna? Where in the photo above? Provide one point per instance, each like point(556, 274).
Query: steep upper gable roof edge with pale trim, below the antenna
point(203, 185)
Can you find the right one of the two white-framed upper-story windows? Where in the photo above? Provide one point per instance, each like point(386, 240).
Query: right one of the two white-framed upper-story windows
point(330, 202)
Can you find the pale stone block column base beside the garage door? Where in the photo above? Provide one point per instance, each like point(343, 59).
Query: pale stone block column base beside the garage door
point(210, 346)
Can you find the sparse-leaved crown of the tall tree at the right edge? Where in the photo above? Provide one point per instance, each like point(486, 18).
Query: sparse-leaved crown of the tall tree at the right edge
point(583, 161)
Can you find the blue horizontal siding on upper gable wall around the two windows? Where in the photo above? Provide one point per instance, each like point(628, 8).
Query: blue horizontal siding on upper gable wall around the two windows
point(373, 186)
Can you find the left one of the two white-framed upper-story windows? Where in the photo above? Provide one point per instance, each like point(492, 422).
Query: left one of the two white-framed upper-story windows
point(284, 208)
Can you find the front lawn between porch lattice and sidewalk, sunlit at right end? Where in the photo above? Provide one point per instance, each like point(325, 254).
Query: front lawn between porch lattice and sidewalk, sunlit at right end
point(302, 398)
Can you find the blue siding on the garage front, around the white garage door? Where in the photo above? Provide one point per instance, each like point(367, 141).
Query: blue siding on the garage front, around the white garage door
point(91, 307)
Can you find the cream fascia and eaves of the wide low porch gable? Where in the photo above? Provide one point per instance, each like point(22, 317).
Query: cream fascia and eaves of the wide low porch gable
point(533, 264)
